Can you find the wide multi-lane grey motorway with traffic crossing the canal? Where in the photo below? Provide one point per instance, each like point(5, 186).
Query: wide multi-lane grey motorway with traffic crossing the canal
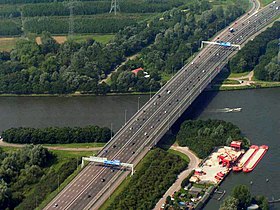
point(95, 182)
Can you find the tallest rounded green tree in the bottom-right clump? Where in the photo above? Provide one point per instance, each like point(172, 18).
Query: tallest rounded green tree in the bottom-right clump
point(243, 195)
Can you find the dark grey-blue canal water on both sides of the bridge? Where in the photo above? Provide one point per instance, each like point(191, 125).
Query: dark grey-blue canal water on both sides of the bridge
point(259, 120)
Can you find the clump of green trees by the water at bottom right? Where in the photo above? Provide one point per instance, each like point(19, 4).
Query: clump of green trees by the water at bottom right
point(241, 198)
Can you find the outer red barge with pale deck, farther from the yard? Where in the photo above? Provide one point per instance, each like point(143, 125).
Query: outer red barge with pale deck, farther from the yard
point(255, 159)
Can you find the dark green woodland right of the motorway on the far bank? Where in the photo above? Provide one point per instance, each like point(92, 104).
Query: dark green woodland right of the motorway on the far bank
point(260, 55)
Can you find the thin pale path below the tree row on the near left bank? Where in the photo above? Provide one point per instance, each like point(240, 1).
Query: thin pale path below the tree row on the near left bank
point(81, 149)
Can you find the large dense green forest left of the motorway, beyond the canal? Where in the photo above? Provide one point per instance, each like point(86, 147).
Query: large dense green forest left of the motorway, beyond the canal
point(80, 67)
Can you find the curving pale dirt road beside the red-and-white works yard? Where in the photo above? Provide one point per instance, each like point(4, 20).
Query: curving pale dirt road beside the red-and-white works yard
point(194, 161)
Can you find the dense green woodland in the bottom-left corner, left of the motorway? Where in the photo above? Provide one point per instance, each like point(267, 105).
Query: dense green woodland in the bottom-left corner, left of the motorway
point(25, 174)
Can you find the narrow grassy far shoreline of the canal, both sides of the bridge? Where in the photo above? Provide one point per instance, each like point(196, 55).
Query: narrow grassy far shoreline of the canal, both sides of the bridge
point(215, 88)
